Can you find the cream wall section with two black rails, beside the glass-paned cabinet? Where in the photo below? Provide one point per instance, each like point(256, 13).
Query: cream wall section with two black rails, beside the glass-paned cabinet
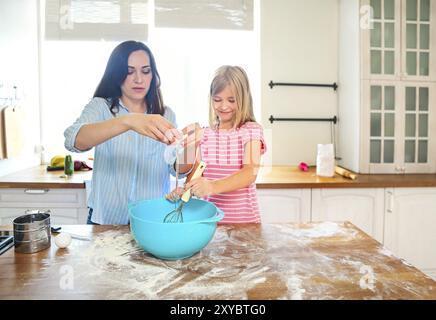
point(299, 43)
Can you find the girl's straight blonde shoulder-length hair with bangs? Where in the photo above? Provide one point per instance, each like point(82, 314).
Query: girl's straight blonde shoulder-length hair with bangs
point(237, 79)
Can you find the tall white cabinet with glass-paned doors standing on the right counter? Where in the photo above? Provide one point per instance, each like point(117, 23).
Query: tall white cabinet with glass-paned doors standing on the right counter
point(387, 86)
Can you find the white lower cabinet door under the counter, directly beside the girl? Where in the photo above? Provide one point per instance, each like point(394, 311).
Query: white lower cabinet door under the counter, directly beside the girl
point(284, 205)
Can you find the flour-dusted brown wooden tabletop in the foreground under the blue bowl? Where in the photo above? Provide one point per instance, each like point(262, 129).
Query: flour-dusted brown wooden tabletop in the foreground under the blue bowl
point(293, 261)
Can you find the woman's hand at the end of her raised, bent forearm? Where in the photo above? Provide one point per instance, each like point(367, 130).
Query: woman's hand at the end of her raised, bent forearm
point(154, 126)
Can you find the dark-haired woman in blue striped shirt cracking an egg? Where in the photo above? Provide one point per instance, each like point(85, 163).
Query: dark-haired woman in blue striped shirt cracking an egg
point(129, 126)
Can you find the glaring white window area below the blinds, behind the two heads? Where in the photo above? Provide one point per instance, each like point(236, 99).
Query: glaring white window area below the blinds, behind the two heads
point(186, 59)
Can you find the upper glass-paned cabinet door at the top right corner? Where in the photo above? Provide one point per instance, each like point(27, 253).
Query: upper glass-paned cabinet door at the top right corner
point(418, 45)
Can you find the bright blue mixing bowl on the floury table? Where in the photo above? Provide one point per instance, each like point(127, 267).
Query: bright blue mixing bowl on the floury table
point(173, 241)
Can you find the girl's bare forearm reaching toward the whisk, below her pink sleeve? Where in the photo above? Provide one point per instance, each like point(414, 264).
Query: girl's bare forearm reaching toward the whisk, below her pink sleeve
point(241, 179)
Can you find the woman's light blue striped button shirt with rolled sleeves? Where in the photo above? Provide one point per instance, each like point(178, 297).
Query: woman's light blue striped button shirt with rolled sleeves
point(128, 167)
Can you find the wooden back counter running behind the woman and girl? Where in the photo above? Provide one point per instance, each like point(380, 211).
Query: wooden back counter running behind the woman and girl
point(276, 177)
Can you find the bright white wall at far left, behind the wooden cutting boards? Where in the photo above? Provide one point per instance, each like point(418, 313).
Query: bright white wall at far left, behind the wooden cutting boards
point(19, 67)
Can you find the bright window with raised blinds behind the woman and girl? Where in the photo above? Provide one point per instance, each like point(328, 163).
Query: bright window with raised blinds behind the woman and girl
point(186, 57)
